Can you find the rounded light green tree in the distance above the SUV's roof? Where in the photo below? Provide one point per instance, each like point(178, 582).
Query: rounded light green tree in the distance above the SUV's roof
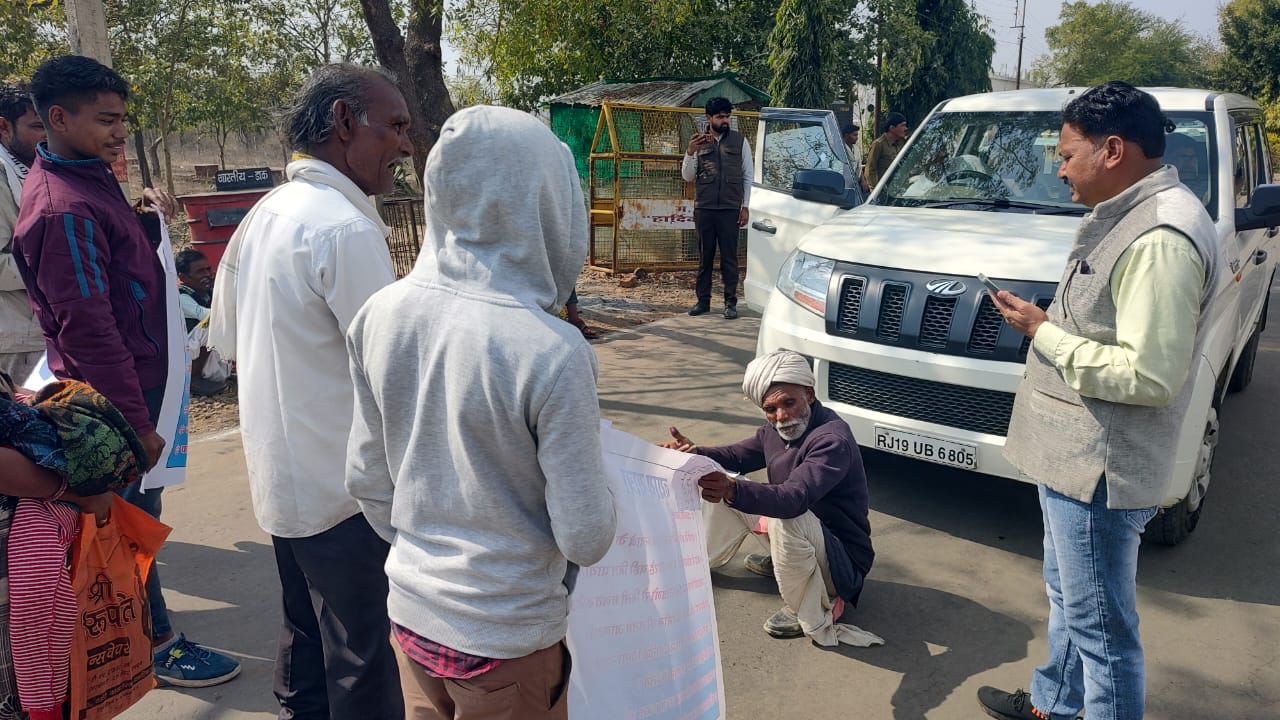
point(1114, 40)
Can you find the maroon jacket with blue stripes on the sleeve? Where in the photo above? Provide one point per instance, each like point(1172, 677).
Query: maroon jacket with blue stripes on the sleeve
point(95, 281)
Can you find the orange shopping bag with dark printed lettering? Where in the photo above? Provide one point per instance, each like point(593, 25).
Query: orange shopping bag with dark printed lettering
point(112, 666)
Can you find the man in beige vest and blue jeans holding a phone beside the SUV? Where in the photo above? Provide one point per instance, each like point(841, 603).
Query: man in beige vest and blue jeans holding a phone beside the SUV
point(1095, 421)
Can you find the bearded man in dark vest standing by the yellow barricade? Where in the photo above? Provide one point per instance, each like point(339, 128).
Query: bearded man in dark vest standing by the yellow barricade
point(720, 161)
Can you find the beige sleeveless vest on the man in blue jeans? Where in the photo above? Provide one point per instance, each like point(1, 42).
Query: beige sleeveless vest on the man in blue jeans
point(1068, 443)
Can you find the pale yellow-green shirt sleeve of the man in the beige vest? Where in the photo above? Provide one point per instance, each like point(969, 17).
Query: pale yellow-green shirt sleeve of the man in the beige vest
point(1158, 286)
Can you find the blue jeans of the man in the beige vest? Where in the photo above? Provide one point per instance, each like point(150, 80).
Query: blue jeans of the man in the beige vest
point(1091, 569)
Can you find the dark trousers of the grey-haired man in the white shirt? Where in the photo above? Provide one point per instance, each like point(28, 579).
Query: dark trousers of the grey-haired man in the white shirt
point(336, 659)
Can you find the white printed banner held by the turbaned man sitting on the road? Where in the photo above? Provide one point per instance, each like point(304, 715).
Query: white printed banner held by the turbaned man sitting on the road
point(642, 625)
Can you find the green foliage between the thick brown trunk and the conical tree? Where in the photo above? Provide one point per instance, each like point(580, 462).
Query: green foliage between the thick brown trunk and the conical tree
point(536, 49)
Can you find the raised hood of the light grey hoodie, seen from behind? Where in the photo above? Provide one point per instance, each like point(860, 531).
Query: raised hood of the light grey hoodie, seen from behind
point(505, 211)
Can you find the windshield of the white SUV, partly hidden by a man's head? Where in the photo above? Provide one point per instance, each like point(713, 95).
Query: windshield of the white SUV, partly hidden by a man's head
point(1008, 162)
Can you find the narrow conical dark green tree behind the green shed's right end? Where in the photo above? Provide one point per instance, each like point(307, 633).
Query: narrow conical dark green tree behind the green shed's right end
point(803, 54)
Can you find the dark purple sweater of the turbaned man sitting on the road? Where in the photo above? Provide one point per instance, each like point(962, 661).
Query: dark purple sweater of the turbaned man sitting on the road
point(821, 472)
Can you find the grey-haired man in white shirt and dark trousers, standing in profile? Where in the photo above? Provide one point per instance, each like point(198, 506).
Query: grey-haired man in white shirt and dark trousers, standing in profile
point(300, 267)
